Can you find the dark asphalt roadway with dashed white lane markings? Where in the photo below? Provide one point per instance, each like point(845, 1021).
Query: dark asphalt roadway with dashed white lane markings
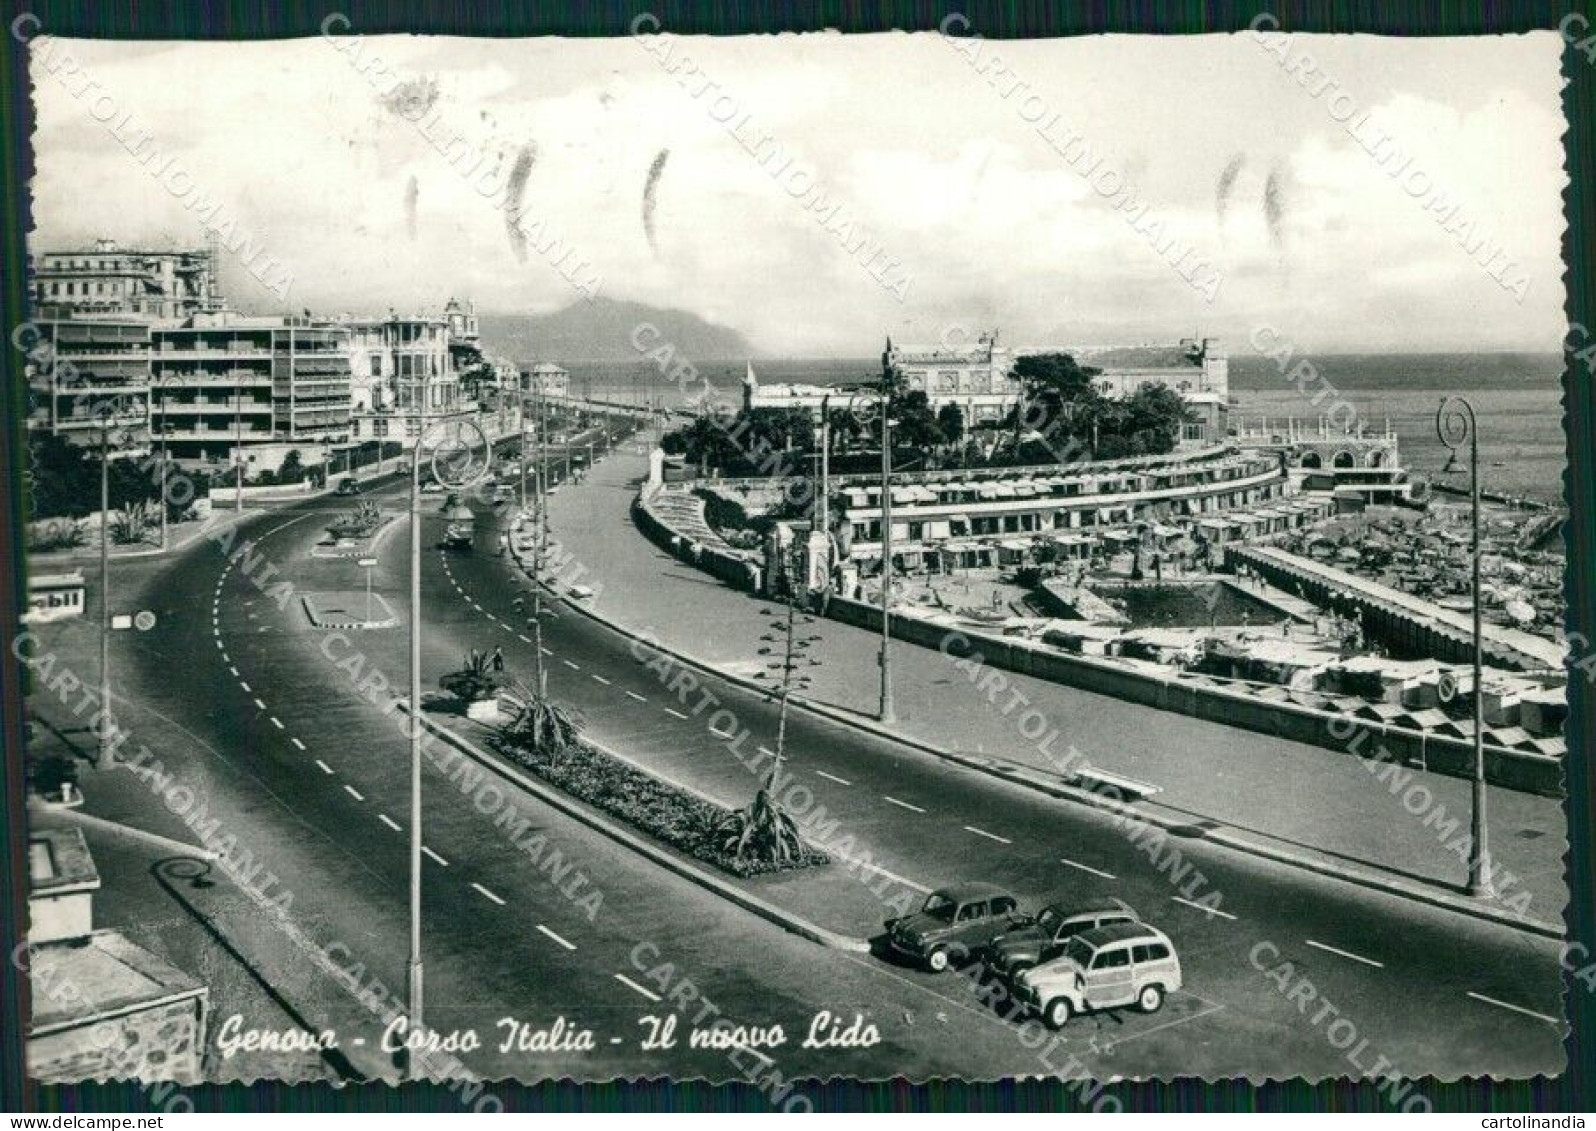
point(1426, 990)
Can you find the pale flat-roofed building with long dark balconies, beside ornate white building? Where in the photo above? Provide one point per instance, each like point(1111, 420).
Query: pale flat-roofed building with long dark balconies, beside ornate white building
point(226, 387)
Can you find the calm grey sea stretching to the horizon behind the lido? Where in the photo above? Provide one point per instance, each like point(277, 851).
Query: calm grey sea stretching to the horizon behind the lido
point(1517, 398)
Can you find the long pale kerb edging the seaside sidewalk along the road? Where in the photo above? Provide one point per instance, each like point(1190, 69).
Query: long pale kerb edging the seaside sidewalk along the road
point(1033, 781)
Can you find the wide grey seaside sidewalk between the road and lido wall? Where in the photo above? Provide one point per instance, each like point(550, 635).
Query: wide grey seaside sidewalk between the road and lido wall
point(1289, 798)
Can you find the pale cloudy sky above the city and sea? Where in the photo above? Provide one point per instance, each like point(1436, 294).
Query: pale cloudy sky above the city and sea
point(930, 151)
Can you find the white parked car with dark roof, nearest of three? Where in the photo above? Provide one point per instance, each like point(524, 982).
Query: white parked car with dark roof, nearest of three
point(1123, 964)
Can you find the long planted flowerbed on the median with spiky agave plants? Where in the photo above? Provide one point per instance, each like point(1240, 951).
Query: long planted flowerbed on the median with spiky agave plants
point(646, 803)
